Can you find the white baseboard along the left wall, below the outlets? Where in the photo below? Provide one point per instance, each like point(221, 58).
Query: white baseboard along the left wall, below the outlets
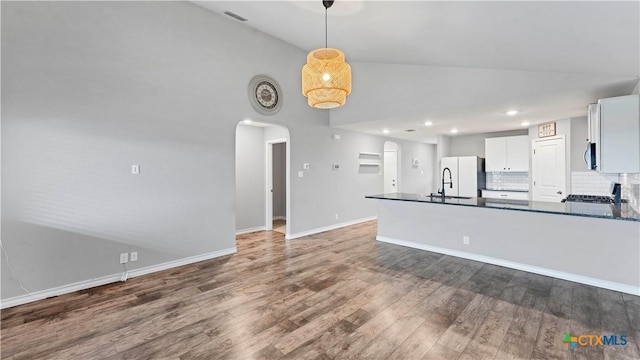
point(81, 285)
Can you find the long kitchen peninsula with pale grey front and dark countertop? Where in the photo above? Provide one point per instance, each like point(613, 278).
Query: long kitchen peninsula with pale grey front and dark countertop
point(595, 245)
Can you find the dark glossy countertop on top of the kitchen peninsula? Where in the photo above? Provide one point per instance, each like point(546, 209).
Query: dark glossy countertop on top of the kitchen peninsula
point(603, 211)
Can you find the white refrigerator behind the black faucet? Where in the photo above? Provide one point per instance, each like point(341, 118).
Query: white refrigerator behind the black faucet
point(467, 175)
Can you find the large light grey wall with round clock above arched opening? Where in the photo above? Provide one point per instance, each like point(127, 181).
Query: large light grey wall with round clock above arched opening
point(90, 88)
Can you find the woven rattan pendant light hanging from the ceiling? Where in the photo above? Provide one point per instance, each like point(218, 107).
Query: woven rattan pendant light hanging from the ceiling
point(326, 78)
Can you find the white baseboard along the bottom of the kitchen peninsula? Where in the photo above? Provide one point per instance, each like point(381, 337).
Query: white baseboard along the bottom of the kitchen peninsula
point(629, 289)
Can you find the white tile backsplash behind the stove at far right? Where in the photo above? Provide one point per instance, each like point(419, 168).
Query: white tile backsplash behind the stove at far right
point(594, 183)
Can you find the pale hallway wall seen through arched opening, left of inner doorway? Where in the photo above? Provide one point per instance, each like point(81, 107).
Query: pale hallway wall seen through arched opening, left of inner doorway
point(250, 177)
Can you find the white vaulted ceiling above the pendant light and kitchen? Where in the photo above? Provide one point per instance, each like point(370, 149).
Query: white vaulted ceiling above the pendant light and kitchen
point(462, 64)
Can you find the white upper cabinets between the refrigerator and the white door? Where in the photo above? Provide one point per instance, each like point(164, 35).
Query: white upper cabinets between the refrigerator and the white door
point(507, 154)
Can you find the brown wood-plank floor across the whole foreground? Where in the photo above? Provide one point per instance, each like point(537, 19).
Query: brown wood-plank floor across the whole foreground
point(335, 295)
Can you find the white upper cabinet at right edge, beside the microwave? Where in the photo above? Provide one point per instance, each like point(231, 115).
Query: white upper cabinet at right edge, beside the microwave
point(619, 143)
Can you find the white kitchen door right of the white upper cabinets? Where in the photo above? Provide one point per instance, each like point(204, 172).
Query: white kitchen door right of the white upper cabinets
point(549, 177)
